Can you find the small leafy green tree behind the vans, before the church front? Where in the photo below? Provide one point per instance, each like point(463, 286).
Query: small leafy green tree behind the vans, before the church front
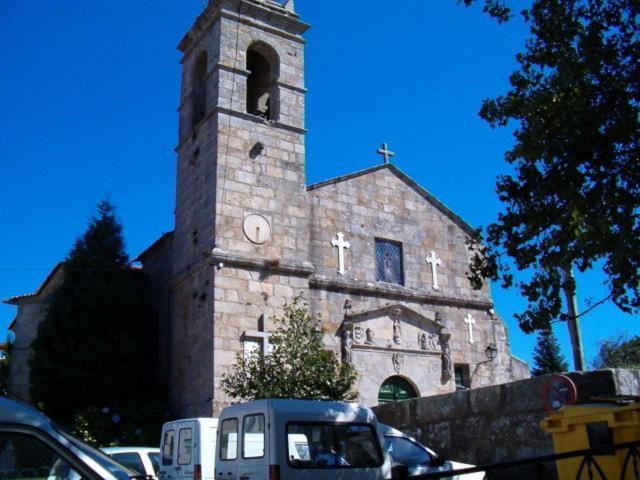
point(297, 365)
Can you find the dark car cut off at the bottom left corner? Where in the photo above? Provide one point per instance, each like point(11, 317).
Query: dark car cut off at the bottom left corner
point(33, 446)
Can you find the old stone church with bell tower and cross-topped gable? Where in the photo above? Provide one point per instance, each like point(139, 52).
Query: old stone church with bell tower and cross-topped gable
point(382, 260)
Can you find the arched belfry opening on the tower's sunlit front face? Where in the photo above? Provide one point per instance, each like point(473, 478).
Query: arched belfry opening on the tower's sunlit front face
point(262, 90)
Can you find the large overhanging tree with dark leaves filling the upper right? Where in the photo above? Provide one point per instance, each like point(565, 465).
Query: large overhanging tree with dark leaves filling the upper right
point(574, 197)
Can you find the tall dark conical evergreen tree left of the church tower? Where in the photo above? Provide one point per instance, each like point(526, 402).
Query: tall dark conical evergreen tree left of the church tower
point(94, 356)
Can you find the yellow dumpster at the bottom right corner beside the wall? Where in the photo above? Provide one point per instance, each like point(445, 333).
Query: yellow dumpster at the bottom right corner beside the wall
point(596, 427)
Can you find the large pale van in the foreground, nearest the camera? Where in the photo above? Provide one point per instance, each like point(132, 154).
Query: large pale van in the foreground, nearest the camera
point(300, 439)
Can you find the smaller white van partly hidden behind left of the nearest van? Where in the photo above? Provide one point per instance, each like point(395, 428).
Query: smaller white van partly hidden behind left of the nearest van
point(187, 449)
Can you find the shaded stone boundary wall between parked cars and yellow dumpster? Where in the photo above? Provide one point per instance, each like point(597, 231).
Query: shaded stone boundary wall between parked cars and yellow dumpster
point(498, 423)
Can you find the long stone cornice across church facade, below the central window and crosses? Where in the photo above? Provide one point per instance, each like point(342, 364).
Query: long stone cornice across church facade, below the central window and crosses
point(354, 287)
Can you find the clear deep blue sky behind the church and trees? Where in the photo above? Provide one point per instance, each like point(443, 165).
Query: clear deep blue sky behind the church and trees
point(89, 90)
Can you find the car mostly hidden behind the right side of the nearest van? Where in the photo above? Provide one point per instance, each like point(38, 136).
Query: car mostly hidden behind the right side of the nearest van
point(419, 459)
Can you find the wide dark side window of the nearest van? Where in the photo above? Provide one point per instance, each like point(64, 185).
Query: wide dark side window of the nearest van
point(326, 445)
